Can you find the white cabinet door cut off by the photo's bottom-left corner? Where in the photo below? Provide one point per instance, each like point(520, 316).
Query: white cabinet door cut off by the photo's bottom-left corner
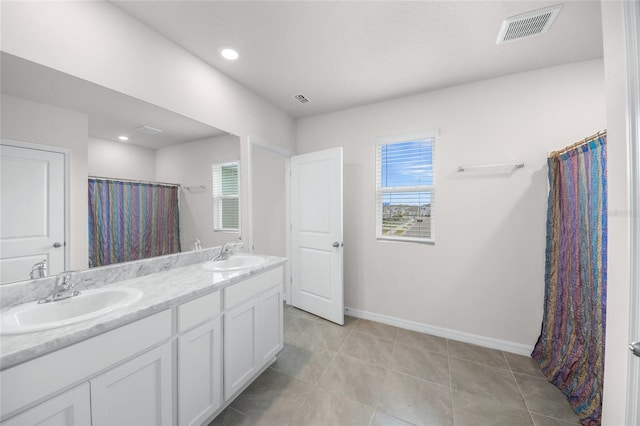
point(67, 409)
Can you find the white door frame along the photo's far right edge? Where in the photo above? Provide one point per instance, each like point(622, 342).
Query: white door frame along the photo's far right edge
point(631, 16)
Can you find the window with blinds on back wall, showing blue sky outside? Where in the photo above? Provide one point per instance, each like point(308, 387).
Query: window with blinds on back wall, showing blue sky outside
point(405, 190)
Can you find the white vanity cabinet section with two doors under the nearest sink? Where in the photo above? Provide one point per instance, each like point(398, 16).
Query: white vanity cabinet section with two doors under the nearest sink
point(123, 373)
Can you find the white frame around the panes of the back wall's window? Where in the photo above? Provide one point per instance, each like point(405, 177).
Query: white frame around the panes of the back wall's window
point(380, 190)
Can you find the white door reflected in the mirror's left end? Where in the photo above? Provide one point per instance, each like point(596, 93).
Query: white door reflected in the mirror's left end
point(32, 211)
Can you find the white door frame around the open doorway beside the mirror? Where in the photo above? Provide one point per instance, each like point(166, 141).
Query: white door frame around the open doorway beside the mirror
point(255, 142)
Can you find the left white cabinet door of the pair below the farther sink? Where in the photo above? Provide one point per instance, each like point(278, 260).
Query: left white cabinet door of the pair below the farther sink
point(239, 346)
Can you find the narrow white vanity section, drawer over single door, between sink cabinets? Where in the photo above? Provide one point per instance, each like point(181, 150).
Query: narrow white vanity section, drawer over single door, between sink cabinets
point(199, 359)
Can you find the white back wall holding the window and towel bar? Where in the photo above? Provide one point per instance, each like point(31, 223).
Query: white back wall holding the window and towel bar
point(485, 274)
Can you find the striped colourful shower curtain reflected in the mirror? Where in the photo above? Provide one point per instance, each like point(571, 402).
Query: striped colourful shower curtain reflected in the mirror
point(131, 220)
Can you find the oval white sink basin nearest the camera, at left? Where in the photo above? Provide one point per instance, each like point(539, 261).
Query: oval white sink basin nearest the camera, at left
point(89, 304)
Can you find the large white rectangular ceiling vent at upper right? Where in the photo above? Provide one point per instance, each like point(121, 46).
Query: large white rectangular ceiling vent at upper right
point(528, 24)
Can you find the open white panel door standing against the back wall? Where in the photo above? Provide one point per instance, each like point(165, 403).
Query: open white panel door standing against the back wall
point(316, 233)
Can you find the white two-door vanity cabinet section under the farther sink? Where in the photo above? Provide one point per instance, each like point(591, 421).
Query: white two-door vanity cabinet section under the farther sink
point(252, 328)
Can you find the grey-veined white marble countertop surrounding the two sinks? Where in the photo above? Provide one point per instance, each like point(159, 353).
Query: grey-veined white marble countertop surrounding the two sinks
point(161, 290)
